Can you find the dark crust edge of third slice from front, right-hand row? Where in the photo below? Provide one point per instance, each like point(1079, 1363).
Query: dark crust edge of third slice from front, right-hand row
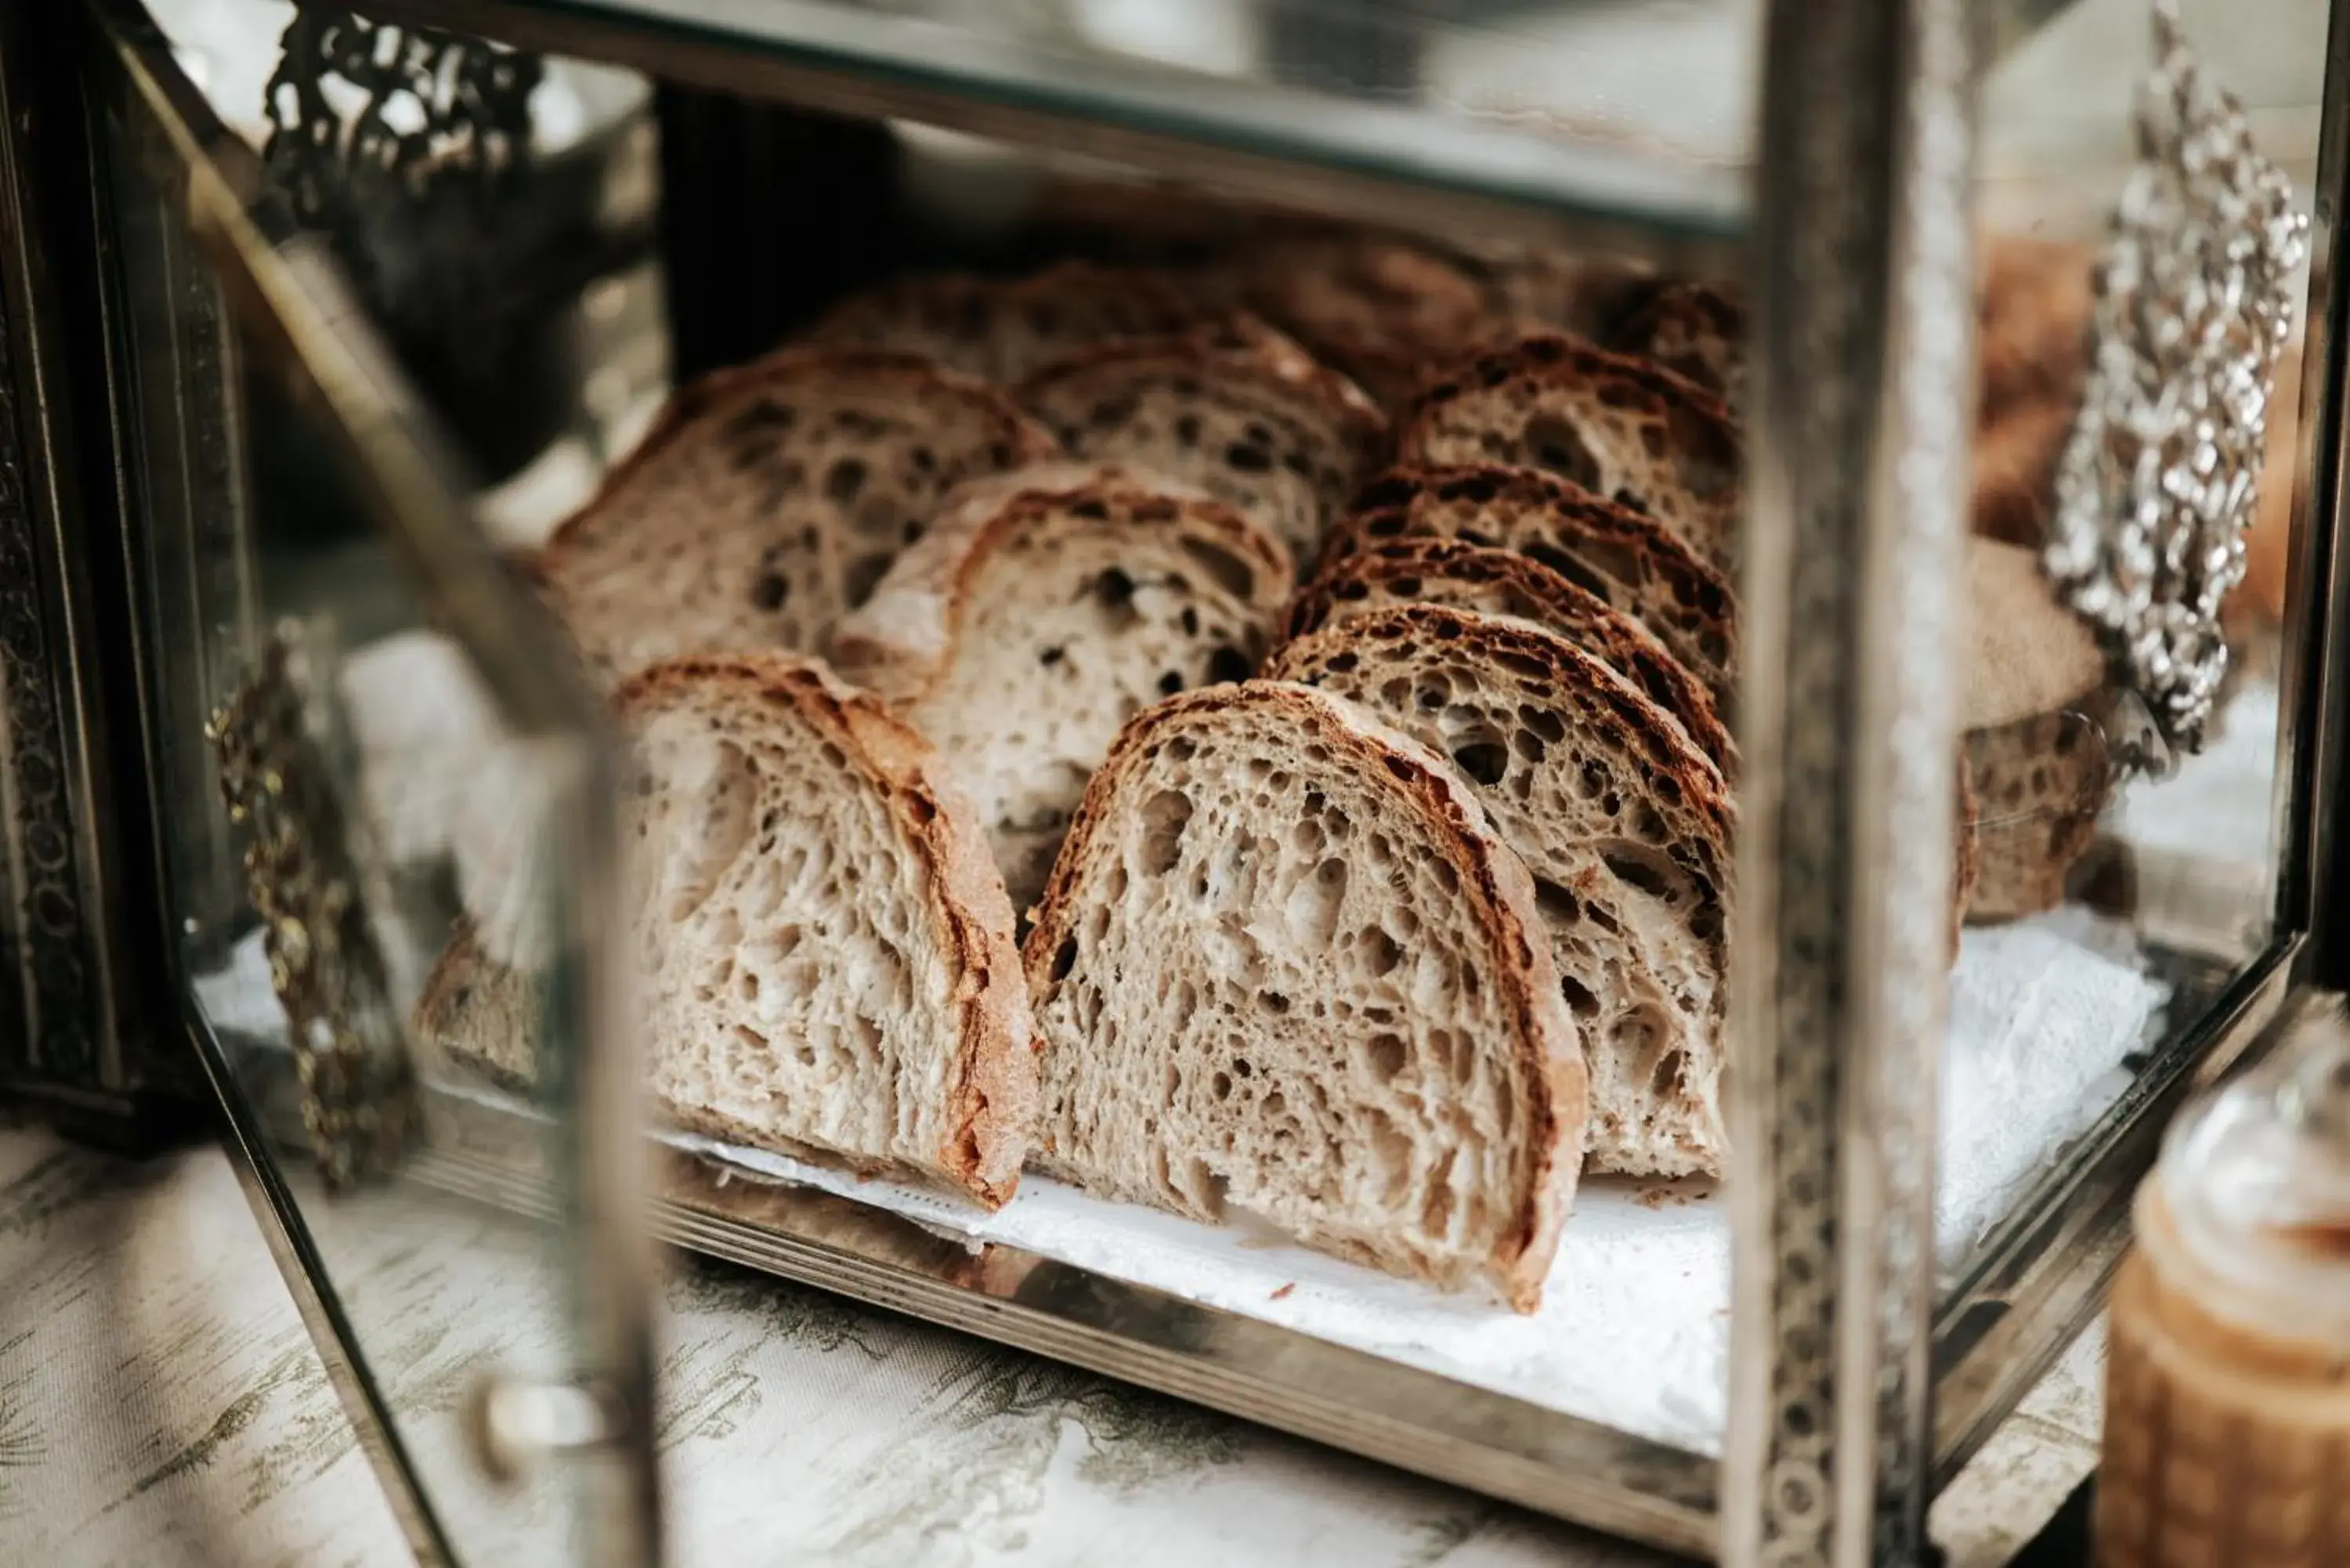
point(1627, 645)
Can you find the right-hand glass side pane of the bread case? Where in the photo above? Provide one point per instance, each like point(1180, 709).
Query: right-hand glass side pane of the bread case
point(2114, 911)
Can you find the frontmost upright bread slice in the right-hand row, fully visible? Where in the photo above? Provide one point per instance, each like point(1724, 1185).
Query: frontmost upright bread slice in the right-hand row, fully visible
point(1284, 970)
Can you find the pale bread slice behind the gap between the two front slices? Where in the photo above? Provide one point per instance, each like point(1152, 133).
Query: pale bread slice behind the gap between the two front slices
point(1042, 612)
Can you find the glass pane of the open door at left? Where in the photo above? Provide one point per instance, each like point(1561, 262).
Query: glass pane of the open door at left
point(337, 793)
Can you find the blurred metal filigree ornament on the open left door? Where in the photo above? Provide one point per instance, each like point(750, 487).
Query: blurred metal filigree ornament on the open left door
point(304, 878)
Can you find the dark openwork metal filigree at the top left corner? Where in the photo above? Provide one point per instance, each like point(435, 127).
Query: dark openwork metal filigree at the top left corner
point(401, 142)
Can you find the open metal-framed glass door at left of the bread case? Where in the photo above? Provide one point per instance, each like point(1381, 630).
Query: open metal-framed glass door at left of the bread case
point(342, 852)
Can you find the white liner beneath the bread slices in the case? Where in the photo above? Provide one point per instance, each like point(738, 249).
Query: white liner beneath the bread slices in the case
point(1634, 1325)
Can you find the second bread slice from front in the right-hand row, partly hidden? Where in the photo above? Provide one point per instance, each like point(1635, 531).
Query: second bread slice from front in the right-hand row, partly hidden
point(1625, 826)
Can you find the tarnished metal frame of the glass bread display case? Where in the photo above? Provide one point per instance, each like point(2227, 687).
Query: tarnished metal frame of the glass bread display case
point(1858, 1388)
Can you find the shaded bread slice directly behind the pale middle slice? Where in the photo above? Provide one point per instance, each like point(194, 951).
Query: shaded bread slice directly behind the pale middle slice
point(1237, 410)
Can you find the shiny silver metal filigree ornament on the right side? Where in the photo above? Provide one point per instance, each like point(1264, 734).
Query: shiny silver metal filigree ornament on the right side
point(2158, 481)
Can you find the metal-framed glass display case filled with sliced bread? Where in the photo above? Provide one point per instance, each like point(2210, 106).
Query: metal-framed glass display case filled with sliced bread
point(1733, 598)
